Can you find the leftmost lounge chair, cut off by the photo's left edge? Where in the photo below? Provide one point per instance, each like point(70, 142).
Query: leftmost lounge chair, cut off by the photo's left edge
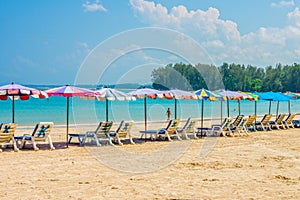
point(7, 135)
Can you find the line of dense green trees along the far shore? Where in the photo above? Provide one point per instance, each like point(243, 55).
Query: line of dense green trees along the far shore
point(235, 77)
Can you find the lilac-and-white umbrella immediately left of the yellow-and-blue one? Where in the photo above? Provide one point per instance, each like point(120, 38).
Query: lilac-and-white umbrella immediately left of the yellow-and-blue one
point(177, 94)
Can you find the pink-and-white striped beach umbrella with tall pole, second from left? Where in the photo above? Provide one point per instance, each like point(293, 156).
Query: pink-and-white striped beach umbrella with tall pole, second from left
point(69, 91)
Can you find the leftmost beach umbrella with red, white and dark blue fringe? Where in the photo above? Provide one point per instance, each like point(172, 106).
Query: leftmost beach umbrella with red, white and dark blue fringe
point(16, 91)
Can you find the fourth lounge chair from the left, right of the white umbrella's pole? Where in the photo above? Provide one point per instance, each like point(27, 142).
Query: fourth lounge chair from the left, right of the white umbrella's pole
point(123, 131)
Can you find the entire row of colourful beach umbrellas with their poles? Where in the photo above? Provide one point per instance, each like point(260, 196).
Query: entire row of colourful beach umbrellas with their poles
point(16, 91)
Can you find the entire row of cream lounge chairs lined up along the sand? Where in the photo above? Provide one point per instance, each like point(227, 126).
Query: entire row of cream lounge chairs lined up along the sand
point(241, 125)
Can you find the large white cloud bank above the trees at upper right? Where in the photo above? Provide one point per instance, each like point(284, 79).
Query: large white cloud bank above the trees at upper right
point(222, 39)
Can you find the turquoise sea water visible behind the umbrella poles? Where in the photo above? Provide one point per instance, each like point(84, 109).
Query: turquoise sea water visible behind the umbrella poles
point(92, 111)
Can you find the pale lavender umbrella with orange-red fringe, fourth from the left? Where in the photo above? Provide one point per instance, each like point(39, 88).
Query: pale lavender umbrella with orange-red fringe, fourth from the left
point(145, 93)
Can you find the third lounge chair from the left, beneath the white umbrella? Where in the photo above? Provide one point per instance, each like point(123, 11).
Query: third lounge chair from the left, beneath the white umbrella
point(100, 134)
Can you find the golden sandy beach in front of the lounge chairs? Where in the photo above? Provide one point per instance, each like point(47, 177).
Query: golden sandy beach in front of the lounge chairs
point(259, 166)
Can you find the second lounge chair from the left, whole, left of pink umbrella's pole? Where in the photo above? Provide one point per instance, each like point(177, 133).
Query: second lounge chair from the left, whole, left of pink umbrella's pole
point(40, 135)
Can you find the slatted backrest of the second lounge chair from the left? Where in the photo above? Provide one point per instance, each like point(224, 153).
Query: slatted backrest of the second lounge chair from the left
point(42, 130)
